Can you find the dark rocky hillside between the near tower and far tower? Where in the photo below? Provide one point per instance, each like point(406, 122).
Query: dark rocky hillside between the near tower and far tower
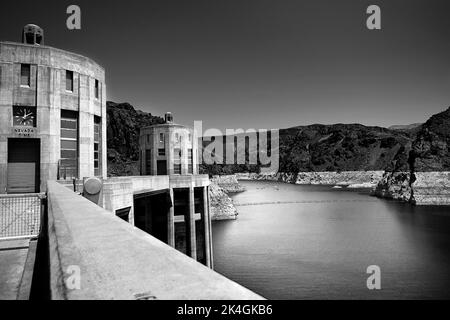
point(123, 123)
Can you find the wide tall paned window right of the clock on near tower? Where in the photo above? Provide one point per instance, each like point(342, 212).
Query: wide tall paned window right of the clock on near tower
point(68, 166)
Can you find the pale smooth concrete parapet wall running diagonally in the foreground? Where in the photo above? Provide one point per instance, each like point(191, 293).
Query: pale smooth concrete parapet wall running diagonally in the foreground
point(119, 261)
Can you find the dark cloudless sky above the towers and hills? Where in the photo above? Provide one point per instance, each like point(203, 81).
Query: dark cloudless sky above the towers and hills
point(259, 64)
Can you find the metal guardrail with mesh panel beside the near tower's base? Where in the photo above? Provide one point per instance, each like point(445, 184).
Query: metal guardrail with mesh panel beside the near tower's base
point(20, 215)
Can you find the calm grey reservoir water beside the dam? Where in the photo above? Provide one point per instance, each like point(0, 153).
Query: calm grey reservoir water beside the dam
point(316, 242)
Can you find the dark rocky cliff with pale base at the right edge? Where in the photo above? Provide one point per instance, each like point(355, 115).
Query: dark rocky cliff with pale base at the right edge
point(420, 178)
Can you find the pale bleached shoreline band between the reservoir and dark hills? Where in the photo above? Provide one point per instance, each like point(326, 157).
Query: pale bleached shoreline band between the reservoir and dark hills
point(428, 188)
